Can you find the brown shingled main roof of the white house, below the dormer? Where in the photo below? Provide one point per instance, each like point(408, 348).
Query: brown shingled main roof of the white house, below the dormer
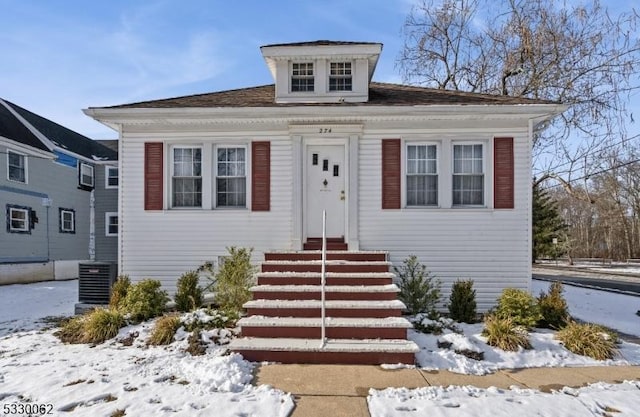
point(380, 94)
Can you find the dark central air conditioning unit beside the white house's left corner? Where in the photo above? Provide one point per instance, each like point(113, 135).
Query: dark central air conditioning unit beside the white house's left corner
point(95, 280)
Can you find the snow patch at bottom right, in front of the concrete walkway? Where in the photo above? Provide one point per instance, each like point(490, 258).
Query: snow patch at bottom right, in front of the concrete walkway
point(622, 400)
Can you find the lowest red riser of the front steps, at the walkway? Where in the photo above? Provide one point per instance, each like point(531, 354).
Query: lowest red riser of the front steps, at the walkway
point(353, 358)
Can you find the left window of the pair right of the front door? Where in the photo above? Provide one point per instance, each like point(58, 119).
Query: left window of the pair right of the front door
point(422, 175)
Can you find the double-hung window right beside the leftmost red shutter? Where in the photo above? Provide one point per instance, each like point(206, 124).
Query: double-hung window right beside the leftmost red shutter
point(187, 177)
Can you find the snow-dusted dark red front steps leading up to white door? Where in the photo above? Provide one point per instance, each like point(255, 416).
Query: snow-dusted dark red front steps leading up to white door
point(363, 322)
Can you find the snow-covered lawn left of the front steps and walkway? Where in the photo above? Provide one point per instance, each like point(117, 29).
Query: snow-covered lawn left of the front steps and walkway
point(82, 380)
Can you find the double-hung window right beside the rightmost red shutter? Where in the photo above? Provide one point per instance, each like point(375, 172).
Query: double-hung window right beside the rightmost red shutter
point(468, 175)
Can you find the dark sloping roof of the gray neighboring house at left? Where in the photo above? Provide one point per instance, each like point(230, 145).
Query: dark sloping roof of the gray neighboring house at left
point(60, 135)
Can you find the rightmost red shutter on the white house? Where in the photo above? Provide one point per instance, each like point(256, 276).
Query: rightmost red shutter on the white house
point(503, 187)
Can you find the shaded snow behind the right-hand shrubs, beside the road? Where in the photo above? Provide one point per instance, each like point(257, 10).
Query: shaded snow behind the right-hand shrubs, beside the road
point(617, 311)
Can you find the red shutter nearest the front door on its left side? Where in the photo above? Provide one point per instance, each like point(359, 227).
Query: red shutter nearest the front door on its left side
point(260, 176)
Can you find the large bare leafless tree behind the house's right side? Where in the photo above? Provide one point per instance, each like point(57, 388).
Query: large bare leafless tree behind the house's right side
point(577, 54)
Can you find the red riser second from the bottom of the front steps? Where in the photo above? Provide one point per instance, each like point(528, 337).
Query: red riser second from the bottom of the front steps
point(331, 332)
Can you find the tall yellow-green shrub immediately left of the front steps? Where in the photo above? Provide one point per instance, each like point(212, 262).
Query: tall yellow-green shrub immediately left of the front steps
point(234, 278)
